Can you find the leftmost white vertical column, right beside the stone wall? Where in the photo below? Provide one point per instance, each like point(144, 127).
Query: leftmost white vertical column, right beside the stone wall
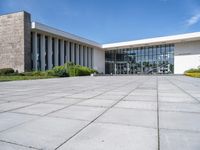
point(35, 55)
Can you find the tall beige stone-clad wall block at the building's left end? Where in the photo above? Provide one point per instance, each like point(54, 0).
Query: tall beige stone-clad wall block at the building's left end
point(15, 50)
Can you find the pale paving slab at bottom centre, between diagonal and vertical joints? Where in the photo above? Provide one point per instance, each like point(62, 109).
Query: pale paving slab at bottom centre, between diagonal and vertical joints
point(113, 137)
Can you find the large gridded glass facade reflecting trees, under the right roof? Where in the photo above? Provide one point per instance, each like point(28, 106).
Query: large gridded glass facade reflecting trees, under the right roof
point(157, 59)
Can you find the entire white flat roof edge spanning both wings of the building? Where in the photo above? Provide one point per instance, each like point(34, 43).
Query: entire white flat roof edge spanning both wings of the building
point(127, 44)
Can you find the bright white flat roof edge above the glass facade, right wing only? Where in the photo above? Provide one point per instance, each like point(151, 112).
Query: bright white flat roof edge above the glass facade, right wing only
point(154, 41)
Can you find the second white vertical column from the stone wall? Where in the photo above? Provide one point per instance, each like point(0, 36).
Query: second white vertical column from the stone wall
point(43, 53)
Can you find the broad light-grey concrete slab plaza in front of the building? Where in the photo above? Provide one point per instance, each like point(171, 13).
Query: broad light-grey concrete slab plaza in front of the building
point(101, 113)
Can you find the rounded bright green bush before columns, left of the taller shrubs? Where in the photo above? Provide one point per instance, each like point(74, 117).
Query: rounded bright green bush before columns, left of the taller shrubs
point(60, 71)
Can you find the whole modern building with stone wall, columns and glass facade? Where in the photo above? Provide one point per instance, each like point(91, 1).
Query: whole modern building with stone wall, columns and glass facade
point(27, 45)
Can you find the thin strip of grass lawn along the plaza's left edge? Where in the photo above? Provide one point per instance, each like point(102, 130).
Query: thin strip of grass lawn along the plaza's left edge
point(16, 77)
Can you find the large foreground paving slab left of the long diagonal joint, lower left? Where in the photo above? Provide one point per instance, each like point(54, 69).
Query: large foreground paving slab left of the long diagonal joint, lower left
point(44, 133)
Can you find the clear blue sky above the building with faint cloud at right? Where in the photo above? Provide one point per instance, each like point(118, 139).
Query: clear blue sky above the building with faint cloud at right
point(106, 21)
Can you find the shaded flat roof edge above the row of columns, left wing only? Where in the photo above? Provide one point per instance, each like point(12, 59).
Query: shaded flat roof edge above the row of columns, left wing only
point(48, 29)
